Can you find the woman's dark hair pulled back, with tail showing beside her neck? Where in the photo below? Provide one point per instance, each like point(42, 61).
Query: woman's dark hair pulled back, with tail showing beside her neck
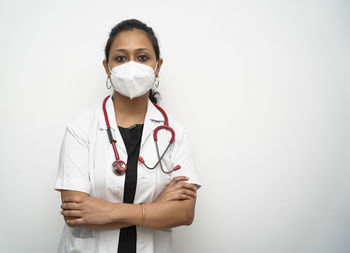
point(130, 24)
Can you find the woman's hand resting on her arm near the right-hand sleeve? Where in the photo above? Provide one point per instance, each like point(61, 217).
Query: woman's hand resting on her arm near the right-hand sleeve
point(177, 189)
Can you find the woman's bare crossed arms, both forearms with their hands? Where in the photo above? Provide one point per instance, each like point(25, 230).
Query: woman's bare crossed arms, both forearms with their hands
point(174, 207)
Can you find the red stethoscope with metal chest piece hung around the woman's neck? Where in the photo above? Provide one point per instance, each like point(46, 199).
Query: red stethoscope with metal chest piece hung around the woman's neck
point(119, 166)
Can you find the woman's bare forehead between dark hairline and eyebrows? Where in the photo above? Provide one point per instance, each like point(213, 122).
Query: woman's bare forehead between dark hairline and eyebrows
point(131, 40)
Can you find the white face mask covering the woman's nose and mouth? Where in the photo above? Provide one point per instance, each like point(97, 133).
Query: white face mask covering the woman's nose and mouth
point(132, 79)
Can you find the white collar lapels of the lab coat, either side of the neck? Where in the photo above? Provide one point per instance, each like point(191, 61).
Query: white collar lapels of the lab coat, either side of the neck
point(152, 119)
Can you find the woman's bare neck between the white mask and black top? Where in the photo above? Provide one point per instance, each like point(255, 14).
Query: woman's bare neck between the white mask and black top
point(128, 111)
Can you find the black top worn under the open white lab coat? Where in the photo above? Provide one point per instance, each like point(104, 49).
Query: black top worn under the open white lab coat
point(132, 139)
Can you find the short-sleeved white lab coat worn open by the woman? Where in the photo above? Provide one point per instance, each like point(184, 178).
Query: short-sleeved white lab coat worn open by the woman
point(85, 165)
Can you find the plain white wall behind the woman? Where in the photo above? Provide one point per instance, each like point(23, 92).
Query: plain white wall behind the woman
point(262, 86)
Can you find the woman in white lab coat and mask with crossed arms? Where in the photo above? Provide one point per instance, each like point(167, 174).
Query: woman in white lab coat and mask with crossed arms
point(113, 200)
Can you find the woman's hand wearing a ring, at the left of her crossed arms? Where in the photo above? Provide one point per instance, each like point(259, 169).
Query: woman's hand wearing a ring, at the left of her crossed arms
point(84, 210)
